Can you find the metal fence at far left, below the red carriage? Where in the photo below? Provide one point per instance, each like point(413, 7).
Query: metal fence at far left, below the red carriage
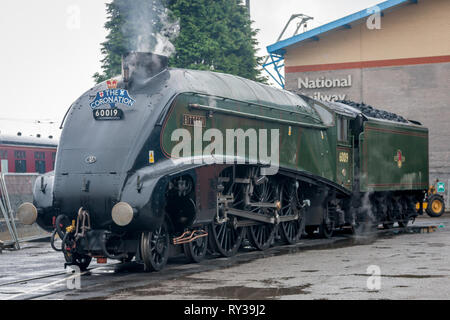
point(15, 189)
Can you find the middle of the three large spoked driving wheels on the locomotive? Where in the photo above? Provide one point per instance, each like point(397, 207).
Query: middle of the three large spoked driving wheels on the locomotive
point(262, 235)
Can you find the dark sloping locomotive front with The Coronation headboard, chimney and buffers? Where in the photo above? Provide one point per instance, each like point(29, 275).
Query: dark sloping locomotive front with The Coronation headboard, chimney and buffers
point(97, 193)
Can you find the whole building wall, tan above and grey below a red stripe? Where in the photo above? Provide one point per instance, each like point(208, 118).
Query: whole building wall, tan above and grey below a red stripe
point(403, 68)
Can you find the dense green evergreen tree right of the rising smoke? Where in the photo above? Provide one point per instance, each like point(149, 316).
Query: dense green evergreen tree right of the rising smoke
point(215, 35)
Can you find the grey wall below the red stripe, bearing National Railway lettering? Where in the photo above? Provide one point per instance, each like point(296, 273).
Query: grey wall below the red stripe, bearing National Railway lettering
point(417, 92)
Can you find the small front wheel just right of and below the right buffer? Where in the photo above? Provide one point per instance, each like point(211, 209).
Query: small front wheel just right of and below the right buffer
point(155, 248)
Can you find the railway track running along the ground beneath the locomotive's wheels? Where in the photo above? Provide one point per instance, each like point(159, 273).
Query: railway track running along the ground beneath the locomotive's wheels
point(54, 283)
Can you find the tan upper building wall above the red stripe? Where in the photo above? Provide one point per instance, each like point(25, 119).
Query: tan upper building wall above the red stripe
point(412, 30)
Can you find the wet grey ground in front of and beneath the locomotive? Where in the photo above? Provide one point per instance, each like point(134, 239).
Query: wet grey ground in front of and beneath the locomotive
point(390, 264)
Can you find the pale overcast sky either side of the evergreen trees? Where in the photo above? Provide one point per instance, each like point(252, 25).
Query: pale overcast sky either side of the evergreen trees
point(51, 48)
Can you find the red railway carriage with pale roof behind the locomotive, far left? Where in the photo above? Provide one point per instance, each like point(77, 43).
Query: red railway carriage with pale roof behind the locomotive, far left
point(23, 154)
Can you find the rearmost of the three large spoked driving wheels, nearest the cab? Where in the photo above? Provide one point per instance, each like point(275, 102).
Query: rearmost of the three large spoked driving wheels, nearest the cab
point(290, 231)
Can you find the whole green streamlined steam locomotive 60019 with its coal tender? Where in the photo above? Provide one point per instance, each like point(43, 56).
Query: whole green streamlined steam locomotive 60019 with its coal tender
point(133, 177)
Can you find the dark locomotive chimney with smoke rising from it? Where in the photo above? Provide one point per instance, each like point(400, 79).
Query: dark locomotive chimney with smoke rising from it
point(140, 66)
